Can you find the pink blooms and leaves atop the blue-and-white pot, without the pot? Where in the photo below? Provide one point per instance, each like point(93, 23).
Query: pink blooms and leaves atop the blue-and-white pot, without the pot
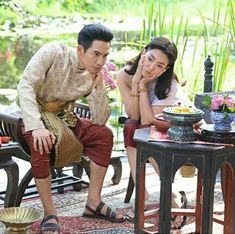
point(219, 102)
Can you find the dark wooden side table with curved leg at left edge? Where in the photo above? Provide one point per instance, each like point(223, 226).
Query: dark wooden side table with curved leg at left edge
point(12, 172)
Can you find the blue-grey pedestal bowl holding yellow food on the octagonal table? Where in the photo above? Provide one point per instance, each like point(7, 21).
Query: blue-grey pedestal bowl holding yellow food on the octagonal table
point(182, 124)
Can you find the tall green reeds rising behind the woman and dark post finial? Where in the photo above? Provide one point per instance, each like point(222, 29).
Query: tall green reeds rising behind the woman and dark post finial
point(215, 38)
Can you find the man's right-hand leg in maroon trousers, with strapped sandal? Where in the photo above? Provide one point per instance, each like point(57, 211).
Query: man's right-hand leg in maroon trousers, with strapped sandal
point(97, 145)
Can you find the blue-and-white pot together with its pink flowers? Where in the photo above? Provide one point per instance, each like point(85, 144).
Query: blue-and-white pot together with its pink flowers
point(222, 110)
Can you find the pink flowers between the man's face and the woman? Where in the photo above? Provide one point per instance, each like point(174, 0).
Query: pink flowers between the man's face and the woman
point(109, 69)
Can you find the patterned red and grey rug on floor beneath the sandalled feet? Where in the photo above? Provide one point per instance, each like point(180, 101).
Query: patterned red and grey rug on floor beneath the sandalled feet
point(71, 206)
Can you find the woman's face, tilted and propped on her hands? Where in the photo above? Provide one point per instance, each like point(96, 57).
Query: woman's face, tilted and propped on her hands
point(155, 63)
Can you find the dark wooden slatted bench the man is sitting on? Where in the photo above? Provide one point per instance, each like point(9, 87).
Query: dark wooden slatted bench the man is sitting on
point(11, 126)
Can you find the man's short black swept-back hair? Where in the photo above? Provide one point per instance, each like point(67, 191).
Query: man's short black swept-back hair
point(92, 32)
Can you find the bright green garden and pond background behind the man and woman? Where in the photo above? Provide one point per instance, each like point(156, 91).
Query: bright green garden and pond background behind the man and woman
point(199, 28)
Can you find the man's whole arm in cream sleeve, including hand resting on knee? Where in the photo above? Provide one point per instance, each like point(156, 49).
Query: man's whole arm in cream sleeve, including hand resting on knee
point(31, 82)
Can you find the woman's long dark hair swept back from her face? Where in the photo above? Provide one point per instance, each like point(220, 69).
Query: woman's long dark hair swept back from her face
point(163, 84)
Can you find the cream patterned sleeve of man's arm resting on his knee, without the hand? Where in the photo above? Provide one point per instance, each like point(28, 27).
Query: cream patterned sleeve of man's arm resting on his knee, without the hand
point(30, 84)
